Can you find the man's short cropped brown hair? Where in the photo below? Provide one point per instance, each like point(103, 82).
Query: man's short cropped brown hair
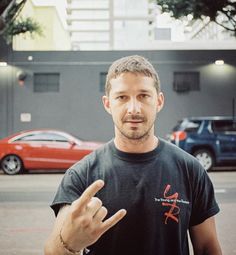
point(133, 64)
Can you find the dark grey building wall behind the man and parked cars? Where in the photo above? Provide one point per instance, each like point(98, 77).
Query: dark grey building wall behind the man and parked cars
point(77, 107)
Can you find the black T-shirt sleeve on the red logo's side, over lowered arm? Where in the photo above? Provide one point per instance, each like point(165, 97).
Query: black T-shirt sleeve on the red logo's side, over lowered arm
point(204, 202)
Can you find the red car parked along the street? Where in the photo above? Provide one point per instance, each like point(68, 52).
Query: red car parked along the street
point(42, 149)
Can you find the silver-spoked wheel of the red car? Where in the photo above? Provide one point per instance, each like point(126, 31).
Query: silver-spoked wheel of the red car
point(12, 164)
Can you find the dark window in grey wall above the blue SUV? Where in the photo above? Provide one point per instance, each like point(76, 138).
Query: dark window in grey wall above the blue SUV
point(186, 81)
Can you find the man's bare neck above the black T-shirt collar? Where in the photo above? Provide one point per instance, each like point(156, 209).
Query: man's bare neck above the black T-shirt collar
point(142, 145)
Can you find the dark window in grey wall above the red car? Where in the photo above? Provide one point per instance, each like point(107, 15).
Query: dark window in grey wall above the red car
point(46, 82)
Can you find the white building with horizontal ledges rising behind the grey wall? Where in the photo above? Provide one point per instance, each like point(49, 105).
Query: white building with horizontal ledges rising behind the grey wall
point(110, 24)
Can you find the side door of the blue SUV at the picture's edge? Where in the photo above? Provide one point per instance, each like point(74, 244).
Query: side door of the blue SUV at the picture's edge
point(225, 131)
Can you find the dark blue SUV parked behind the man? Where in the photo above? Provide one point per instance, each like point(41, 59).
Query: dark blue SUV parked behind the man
point(212, 140)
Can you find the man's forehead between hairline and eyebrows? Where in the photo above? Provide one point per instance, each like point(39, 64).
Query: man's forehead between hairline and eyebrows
point(132, 81)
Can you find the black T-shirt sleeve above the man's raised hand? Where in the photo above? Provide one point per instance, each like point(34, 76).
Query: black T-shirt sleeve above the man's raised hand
point(70, 188)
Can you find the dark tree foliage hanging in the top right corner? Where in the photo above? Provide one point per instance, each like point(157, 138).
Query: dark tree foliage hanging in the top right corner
point(222, 12)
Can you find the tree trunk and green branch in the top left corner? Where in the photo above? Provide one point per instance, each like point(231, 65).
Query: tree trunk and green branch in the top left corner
point(11, 24)
